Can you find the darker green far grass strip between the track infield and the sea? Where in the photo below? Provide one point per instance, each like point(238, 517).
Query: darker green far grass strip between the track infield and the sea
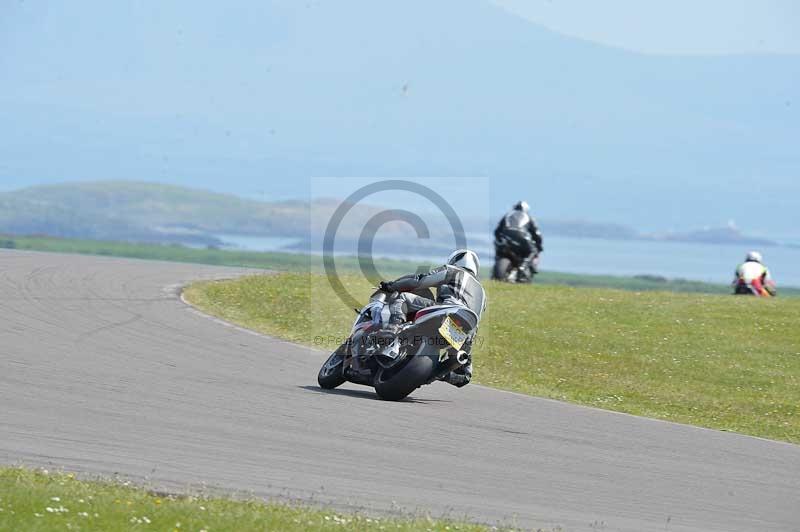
point(300, 262)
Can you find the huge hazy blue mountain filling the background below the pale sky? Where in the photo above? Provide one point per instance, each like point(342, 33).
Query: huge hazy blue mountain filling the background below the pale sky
point(251, 96)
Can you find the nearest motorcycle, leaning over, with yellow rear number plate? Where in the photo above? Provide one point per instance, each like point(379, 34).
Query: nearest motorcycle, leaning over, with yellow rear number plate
point(395, 364)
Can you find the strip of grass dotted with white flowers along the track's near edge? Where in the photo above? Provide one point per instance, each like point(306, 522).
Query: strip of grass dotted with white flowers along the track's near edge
point(33, 500)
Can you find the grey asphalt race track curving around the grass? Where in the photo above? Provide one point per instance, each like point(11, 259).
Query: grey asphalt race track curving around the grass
point(104, 370)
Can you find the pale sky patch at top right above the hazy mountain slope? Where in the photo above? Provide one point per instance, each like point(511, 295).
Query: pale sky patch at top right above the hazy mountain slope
point(674, 26)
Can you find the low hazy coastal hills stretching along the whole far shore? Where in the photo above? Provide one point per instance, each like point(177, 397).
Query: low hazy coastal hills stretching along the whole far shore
point(147, 212)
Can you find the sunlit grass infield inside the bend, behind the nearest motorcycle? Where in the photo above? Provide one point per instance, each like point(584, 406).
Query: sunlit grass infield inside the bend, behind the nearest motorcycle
point(724, 362)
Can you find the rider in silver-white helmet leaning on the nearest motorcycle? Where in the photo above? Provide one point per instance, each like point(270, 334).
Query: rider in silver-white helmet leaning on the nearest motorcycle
point(456, 283)
